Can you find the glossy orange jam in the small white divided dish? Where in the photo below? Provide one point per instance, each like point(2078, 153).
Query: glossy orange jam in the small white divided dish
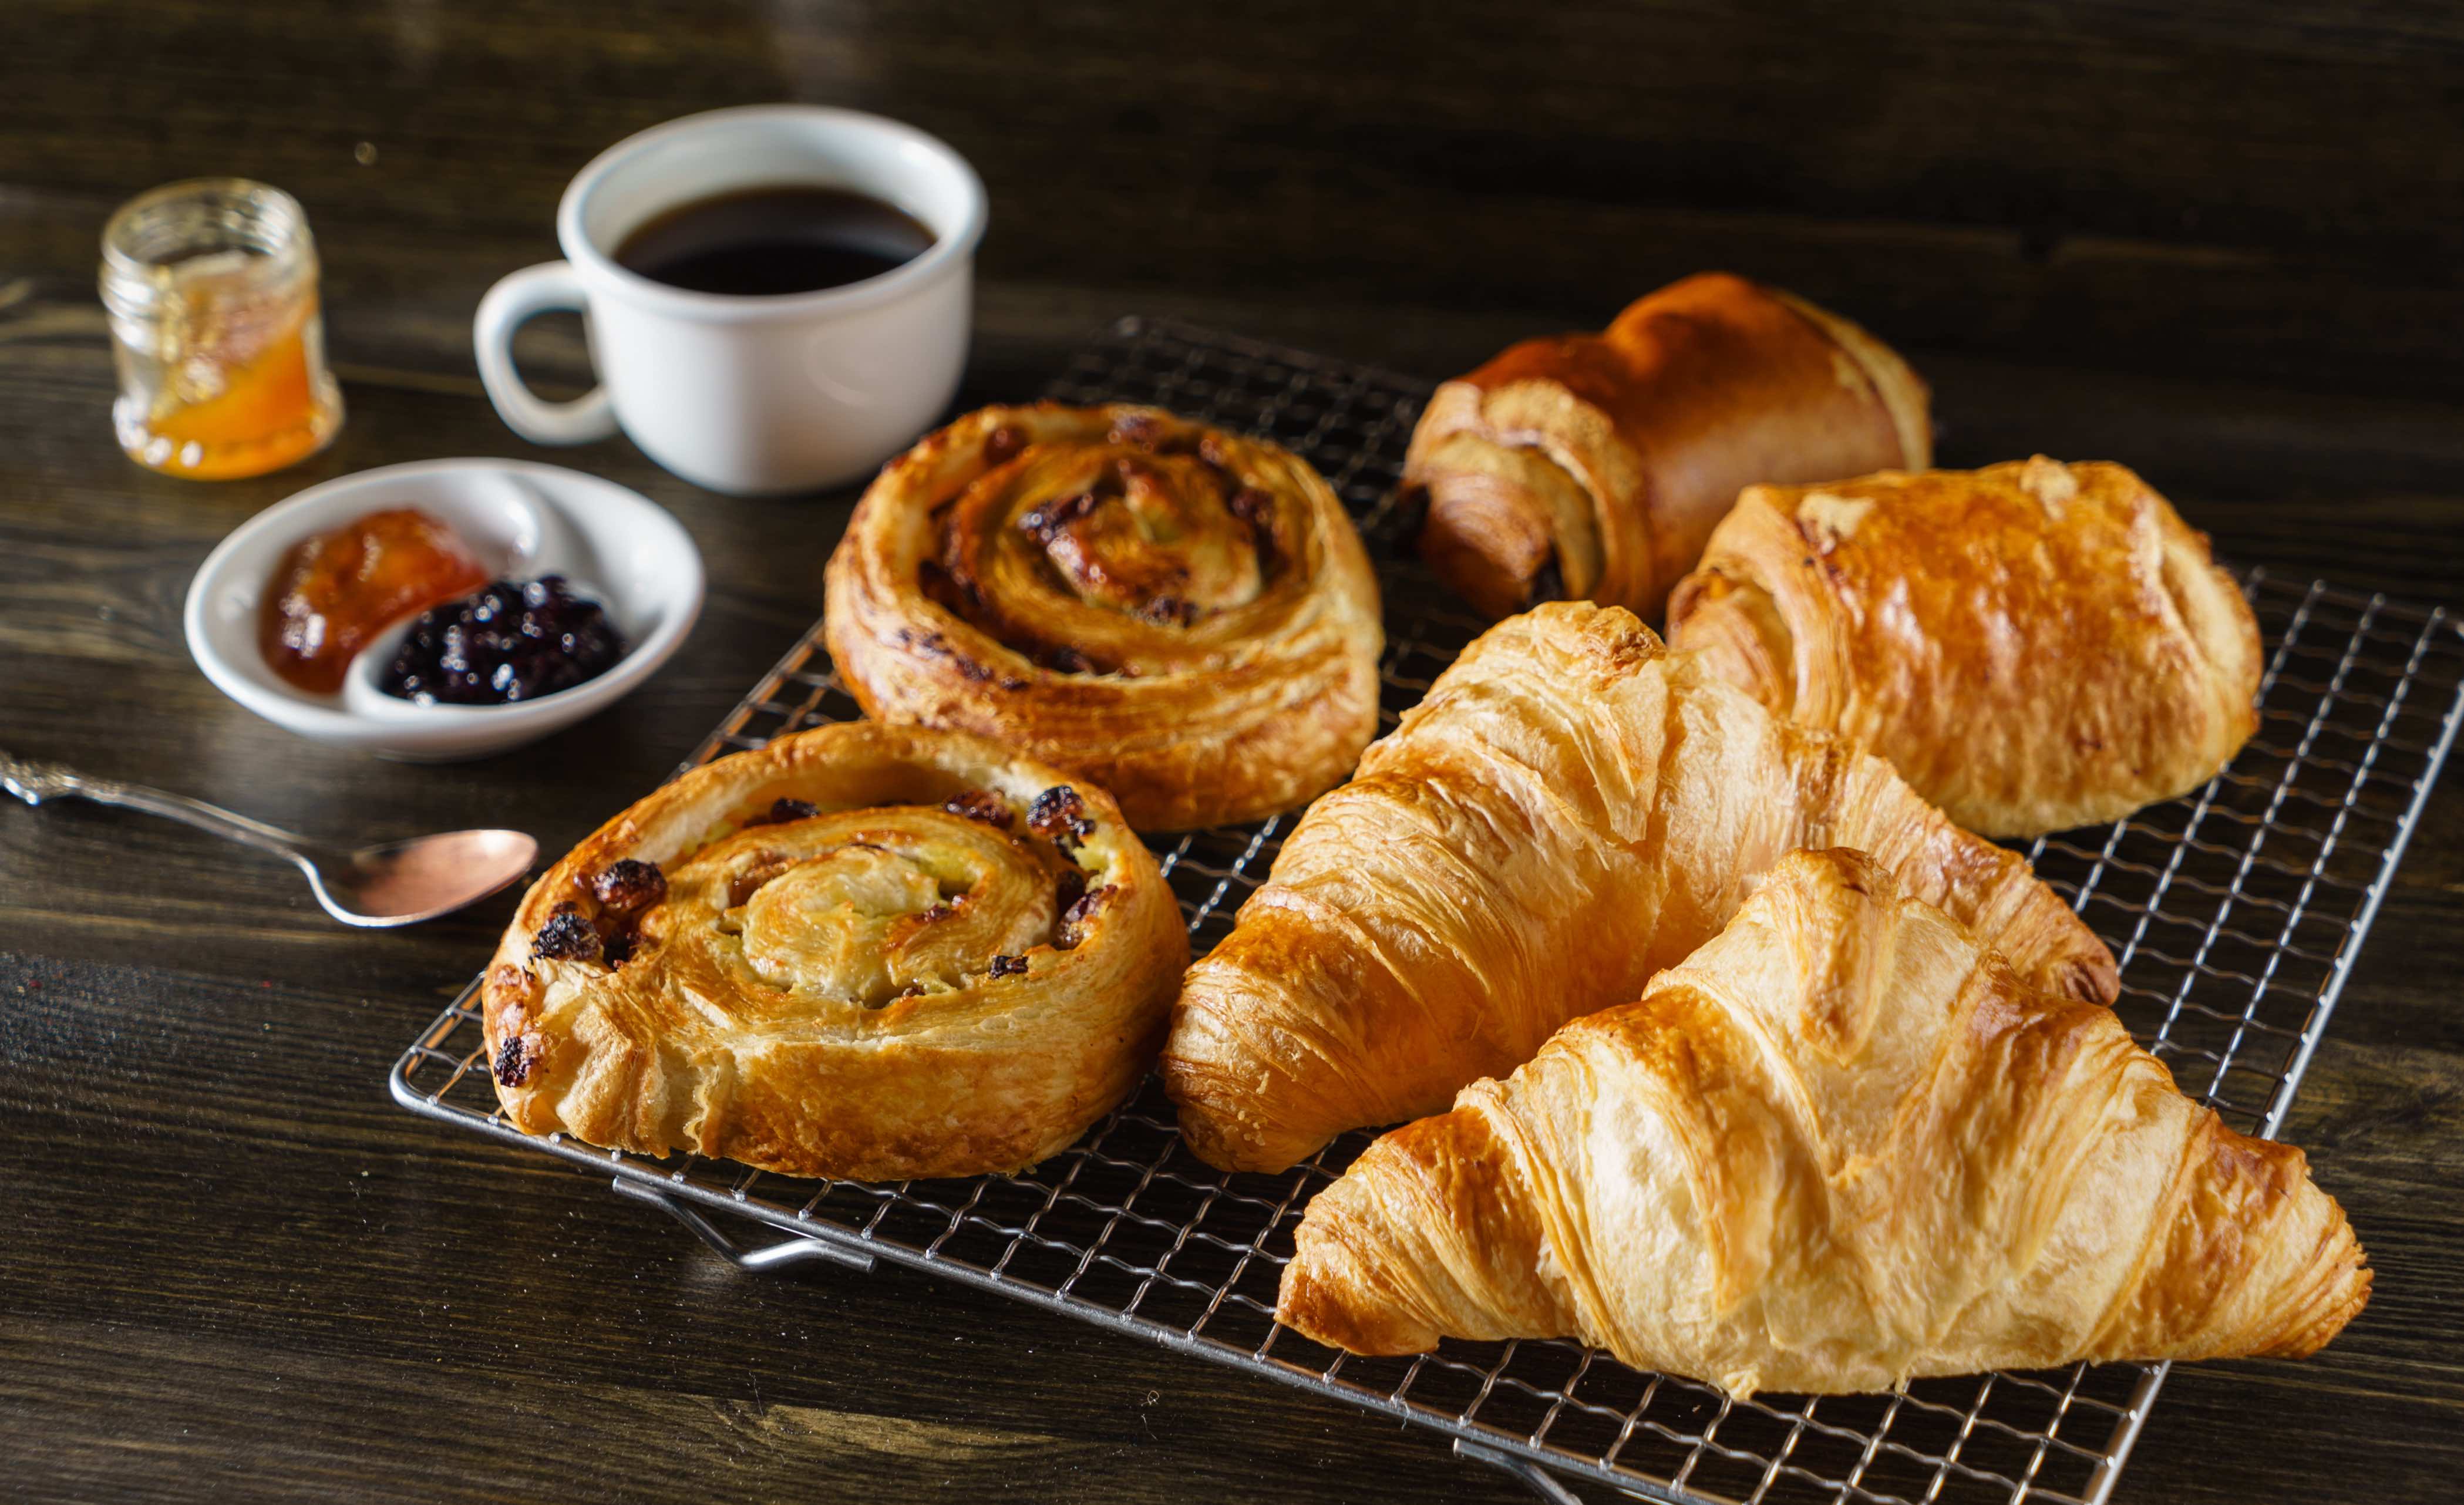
point(339, 590)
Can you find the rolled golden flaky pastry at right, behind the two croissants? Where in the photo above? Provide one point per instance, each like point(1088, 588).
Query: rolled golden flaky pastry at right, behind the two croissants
point(2034, 647)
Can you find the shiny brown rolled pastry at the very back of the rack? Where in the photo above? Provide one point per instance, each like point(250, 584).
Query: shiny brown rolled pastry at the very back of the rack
point(1593, 467)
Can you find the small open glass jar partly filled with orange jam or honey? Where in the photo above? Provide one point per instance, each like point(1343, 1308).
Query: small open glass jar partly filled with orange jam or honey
point(211, 287)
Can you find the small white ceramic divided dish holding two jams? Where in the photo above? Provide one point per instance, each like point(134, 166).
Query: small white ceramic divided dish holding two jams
point(615, 546)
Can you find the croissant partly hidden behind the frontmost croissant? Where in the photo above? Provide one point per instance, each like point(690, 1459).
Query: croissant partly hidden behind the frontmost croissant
point(1566, 814)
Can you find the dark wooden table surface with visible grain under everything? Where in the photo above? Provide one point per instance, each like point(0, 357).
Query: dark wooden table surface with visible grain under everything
point(2219, 243)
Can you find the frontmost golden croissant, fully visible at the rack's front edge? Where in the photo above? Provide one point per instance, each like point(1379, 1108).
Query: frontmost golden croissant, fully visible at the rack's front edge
point(1839, 1149)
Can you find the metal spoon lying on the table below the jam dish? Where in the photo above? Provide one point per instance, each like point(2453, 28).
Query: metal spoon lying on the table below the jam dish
point(386, 886)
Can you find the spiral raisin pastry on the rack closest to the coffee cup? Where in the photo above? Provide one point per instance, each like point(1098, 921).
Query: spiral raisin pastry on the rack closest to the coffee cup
point(1174, 612)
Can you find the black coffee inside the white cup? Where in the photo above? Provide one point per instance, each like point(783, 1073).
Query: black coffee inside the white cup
point(775, 240)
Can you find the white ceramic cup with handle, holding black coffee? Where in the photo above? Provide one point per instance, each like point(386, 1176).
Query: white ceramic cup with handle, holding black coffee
point(750, 393)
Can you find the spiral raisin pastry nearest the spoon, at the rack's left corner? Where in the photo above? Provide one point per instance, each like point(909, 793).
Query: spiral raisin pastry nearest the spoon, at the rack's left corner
point(864, 952)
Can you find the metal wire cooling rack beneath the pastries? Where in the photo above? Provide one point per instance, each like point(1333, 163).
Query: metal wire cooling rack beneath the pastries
point(2236, 918)
